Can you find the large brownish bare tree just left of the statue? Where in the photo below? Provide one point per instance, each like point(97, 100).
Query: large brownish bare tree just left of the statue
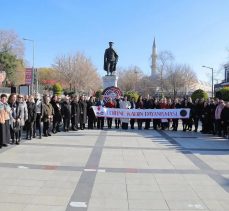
point(78, 71)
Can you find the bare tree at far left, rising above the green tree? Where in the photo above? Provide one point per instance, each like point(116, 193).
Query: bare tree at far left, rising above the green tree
point(10, 42)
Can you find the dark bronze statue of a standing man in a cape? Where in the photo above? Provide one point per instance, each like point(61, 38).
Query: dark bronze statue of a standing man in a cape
point(110, 59)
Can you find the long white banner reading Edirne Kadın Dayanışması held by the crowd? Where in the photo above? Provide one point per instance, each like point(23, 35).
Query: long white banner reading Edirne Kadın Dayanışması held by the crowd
point(182, 113)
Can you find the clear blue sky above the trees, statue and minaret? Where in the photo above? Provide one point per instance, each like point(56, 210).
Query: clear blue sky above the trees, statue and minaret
point(195, 31)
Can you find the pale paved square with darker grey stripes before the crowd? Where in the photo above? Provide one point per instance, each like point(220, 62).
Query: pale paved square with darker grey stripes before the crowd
point(115, 170)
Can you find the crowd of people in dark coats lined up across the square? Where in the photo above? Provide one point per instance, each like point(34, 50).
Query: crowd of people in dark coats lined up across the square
point(41, 117)
